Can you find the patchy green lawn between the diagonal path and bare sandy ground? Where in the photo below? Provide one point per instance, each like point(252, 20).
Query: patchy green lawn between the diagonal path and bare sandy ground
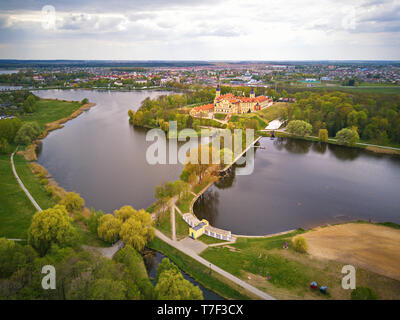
point(290, 272)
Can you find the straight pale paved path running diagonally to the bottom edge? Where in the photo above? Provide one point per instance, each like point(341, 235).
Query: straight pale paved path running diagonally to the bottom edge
point(181, 247)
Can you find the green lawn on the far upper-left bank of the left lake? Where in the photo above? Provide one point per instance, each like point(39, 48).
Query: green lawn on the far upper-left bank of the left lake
point(51, 110)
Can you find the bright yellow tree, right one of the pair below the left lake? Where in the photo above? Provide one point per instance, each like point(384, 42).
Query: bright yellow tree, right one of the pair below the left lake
point(138, 230)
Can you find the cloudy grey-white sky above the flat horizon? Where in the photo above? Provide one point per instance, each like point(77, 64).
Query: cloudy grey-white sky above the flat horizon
point(200, 29)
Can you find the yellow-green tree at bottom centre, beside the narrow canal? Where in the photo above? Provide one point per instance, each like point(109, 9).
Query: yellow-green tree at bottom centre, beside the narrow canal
point(172, 286)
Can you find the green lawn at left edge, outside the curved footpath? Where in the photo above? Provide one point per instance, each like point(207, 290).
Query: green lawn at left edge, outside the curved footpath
point(15, 208)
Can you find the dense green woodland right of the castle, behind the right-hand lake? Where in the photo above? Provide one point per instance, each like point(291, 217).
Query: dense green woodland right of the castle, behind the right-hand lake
point(375, 117)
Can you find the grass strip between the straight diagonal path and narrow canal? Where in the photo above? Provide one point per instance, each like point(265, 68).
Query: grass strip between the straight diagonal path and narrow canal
point(213, 281)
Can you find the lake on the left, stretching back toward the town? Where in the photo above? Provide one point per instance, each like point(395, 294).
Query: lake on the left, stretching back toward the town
point(100, 155)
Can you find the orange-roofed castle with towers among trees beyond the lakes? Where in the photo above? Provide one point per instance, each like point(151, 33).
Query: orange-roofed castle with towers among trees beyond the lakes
point(230, 104)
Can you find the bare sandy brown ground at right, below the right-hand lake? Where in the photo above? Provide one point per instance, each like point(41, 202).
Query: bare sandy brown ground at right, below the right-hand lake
point(372, 247)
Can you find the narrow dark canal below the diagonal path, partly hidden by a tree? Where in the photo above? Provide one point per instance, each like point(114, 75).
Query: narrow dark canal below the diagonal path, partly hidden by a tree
point(154, 258)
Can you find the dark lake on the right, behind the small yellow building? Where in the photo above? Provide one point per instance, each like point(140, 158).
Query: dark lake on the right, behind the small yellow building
point(303, 184)
